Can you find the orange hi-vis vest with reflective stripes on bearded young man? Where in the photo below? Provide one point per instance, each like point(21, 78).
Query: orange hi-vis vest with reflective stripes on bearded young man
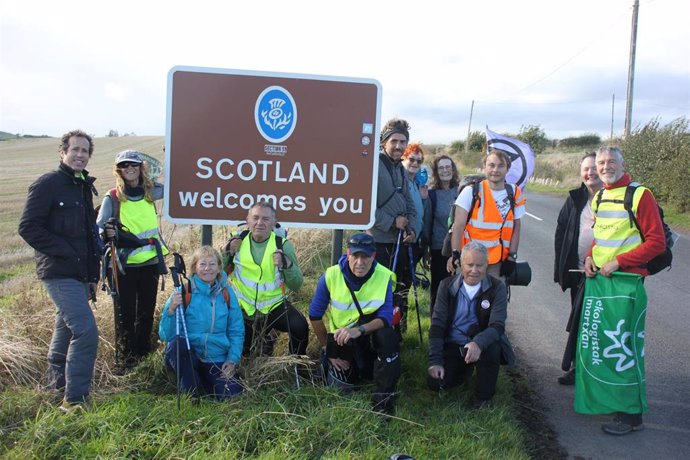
point(485, 225)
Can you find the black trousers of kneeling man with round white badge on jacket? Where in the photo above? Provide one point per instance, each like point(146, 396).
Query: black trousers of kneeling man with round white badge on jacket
point(458, 372)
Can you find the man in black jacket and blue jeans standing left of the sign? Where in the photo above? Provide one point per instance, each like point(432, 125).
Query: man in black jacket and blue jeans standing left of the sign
point(59, 223)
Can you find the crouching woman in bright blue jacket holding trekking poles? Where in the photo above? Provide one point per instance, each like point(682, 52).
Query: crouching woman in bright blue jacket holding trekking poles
point(214, 326)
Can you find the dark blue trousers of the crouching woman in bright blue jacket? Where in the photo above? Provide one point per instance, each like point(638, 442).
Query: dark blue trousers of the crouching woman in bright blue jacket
point(195, 374)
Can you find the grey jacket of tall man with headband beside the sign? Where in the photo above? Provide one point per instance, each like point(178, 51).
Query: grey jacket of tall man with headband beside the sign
point(392, 200)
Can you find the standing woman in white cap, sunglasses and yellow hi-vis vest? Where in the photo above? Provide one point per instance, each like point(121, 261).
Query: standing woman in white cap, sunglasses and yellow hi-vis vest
point(130, 206)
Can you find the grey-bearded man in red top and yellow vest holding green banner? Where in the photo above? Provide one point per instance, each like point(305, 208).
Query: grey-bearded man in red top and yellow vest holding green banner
point(619, 245)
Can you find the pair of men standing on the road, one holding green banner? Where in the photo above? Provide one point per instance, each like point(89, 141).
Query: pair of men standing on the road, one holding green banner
point(596, 235)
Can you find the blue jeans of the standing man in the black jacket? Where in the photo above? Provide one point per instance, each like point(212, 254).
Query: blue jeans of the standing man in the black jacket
point(73, 348)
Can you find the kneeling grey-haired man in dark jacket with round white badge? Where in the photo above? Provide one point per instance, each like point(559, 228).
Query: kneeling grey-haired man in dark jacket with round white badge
point(467, 328)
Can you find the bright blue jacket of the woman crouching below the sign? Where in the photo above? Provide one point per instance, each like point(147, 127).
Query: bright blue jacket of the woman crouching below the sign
point(215, 329)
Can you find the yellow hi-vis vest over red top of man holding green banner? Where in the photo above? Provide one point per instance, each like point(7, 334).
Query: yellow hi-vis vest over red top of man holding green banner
point(614, 233)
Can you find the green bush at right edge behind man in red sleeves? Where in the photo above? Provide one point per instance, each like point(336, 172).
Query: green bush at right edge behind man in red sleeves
point(659, 158)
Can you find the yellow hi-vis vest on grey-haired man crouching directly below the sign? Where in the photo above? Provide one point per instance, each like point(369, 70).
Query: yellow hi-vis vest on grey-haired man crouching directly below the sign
point(257, 286)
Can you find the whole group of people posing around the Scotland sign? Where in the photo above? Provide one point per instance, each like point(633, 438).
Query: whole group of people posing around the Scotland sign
point(234, 302)
